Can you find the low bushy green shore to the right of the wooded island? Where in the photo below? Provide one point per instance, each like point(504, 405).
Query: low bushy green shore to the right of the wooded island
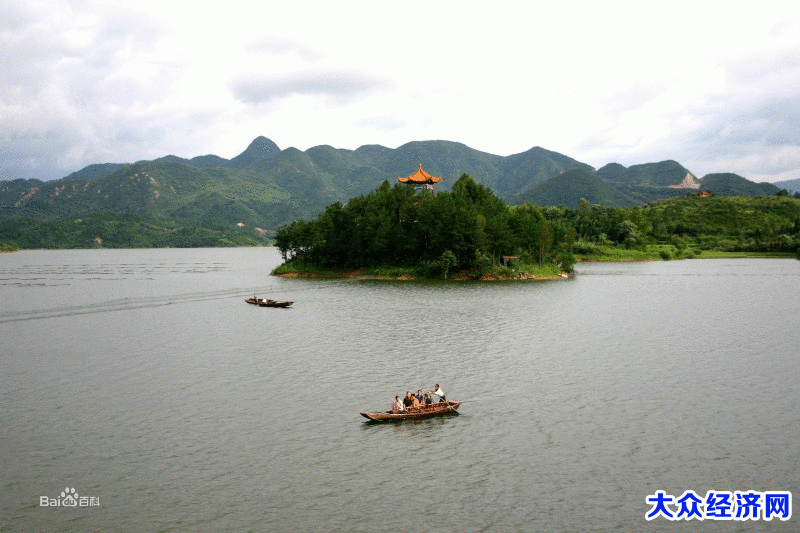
point(687, 227)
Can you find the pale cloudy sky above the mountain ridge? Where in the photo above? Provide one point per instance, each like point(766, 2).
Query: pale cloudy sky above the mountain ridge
point(712, 85)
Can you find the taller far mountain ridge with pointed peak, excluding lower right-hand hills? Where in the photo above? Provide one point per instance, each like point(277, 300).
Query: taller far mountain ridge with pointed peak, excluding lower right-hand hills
point(265, 187)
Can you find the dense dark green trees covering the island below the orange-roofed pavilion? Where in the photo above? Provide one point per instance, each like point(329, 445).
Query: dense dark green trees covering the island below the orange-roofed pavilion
point(467, 231)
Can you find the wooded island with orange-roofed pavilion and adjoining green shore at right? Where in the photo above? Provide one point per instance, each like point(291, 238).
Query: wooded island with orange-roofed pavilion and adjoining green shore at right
point(410, 231)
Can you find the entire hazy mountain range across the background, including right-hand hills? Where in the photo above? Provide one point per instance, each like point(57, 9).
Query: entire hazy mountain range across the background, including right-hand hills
point(265, 187)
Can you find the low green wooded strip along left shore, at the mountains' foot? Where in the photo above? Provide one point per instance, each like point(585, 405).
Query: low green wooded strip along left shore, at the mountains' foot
point(109, 230)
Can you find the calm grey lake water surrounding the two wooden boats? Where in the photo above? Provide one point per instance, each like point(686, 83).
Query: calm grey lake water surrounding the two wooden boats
point(142, 379)
